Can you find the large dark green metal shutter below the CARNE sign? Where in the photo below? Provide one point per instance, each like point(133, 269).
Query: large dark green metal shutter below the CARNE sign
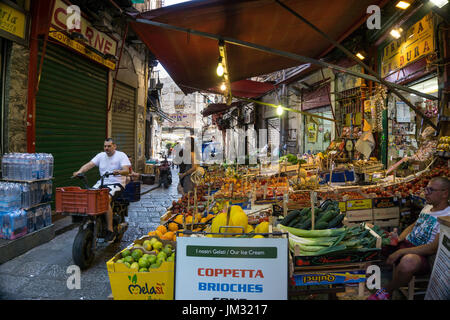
point(70, 112)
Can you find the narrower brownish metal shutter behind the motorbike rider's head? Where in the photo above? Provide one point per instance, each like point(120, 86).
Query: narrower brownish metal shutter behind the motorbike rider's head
point(123, 119)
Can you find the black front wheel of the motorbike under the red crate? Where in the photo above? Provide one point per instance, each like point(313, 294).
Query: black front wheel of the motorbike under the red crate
point(82, 252)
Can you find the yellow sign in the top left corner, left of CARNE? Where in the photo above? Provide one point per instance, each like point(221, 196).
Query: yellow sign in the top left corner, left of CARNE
point(13, 22)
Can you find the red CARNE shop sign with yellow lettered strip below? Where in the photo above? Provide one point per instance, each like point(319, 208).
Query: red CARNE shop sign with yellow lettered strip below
point(100, 42)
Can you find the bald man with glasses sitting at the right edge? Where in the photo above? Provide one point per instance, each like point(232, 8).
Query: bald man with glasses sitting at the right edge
point(419, 240)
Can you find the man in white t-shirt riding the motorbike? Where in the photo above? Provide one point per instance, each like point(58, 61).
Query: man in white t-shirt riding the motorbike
point(111, 160)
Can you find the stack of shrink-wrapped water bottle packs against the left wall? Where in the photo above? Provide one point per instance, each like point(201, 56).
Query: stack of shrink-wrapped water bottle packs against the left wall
point(24, 206)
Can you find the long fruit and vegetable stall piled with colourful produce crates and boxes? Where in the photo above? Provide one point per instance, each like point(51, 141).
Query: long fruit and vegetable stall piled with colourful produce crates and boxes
point(332, 220)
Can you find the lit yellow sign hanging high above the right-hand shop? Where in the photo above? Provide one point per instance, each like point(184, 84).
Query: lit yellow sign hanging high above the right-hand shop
point(415, 43)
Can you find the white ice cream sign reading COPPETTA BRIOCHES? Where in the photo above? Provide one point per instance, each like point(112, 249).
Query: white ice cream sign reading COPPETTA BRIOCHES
point(231, 268)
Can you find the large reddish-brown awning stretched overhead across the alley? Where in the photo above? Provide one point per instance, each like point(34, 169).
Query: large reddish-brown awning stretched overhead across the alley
point(191, 59)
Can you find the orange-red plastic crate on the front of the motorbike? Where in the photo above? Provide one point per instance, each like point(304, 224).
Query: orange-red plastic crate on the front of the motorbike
point(77, 200)
